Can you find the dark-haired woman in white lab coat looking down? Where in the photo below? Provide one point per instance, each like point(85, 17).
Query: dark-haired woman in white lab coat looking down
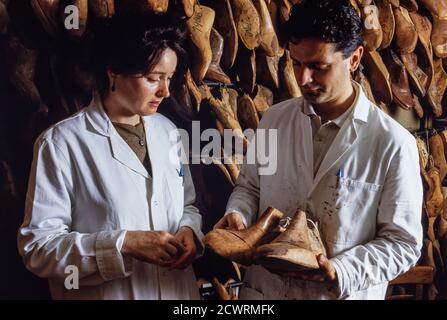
point(109, 212)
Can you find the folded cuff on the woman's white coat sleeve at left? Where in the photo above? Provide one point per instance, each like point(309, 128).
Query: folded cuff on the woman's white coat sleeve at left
point(111, 263)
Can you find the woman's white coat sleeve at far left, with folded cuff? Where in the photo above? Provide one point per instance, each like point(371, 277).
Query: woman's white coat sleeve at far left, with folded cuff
point(45, 239)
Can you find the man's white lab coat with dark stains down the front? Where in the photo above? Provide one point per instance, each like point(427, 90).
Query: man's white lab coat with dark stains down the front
point(370, 215)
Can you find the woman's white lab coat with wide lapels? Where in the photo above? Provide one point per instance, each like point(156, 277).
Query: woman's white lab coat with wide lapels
point(86, 188)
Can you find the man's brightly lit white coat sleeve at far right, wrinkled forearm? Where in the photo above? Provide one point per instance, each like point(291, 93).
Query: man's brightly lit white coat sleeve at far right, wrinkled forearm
point(398, 240)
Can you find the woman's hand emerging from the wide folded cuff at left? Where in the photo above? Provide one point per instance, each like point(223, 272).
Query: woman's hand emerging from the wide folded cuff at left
point(156, 247)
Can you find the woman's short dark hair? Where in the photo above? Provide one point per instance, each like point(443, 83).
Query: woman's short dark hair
point(132, 45)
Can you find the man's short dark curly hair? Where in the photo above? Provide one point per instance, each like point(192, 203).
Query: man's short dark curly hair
point(333, 21)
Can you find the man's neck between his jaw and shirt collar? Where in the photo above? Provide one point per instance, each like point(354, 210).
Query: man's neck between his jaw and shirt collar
point(333, 109)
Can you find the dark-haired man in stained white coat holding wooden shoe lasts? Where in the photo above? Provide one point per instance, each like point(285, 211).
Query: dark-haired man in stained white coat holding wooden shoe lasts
point(340, 158)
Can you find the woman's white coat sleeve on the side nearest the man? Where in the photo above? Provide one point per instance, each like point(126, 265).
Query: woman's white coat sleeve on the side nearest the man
point(191, 217)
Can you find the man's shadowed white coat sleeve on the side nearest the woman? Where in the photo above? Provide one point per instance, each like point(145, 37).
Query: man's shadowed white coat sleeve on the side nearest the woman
point(245, 196)
